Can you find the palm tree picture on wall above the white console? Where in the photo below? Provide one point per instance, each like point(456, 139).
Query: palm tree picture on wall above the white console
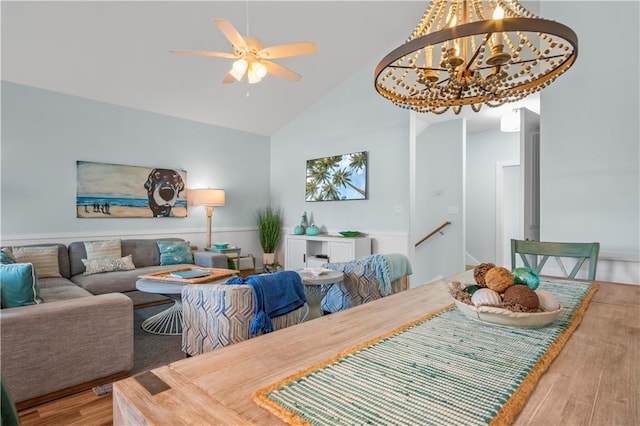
point(339, 177)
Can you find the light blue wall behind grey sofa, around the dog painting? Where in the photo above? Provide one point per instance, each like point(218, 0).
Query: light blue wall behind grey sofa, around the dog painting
point(44, 133)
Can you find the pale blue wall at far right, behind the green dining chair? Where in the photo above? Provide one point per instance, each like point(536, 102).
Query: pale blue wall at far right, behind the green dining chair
point(589, 133)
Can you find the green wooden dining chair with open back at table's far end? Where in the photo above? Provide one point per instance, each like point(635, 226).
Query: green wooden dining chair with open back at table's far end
point(534, 254)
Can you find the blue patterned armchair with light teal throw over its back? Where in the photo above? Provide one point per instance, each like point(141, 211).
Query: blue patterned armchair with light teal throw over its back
point(365, 279)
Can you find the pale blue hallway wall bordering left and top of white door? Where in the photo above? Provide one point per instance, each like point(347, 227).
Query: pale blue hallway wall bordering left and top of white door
point(484, 150)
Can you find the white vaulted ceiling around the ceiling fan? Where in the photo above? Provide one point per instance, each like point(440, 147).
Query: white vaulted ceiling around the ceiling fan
point(118, 52)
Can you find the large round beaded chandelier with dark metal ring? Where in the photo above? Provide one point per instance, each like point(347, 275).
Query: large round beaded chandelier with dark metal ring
point(474, 52)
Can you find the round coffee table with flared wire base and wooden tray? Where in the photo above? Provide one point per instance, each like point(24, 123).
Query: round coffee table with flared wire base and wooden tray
point(169, 321)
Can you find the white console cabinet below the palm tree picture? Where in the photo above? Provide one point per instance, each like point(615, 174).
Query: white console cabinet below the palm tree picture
point(303, 251)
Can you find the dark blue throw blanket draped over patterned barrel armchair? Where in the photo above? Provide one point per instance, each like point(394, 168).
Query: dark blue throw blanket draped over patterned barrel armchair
point(276, 294)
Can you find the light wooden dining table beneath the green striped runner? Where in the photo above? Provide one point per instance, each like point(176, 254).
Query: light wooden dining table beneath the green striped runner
point(595, 380)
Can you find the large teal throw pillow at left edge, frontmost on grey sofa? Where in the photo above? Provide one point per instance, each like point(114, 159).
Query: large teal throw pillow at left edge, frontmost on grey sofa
point(19, 285)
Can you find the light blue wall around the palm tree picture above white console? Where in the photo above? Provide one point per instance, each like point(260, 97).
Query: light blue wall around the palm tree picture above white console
point(352, 117)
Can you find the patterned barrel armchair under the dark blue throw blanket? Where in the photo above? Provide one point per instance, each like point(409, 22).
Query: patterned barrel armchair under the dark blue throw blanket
point(220, 315)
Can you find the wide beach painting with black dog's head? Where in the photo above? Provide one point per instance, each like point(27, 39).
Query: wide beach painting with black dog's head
point(120, 191)
